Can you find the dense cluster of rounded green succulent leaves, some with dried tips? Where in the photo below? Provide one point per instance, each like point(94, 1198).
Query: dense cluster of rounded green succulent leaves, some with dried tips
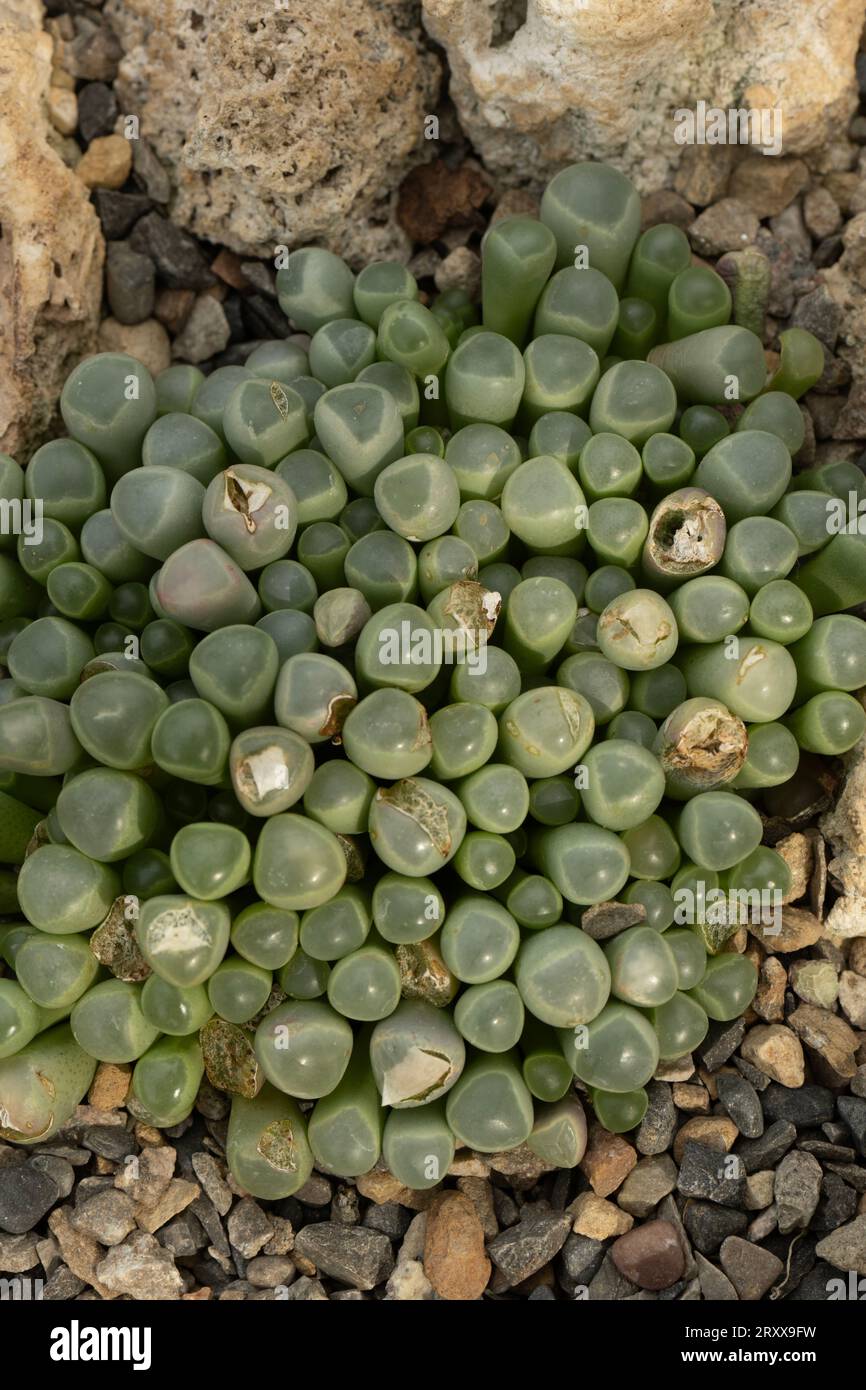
point(347, 687)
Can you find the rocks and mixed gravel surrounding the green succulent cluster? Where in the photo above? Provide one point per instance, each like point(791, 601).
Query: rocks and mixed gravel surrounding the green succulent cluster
point(154, 156)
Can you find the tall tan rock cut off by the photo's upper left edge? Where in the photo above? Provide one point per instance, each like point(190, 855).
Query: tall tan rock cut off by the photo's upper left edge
point(52, 248)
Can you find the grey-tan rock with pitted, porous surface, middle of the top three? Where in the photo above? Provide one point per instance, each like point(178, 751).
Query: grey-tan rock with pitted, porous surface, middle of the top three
point(281, 123)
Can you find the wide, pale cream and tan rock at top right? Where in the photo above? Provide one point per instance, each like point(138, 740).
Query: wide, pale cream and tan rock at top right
point(601, 79)
